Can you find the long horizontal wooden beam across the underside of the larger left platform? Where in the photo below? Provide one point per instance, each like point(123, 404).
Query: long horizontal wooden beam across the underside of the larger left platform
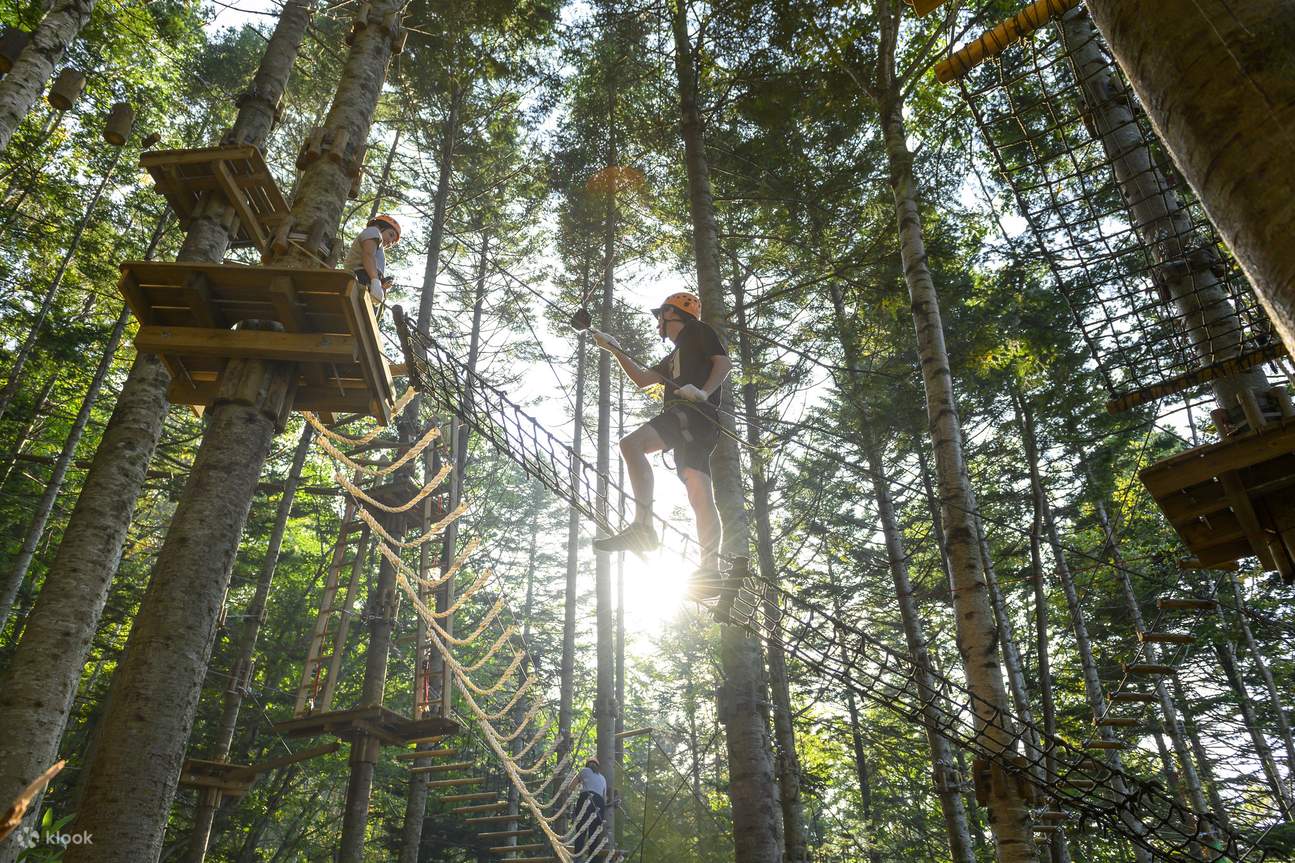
point(245, 344)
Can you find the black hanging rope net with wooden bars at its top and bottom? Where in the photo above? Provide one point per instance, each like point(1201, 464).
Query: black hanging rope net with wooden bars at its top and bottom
point(1162, 306)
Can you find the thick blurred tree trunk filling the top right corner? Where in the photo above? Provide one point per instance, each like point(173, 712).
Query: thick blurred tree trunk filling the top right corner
point(1215, 80)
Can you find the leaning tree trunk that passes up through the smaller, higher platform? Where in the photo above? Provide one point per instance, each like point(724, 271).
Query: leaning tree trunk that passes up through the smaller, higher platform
point(38, 687)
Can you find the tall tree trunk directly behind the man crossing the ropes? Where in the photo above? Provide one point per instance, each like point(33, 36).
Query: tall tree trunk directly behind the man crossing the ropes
point(750, 765)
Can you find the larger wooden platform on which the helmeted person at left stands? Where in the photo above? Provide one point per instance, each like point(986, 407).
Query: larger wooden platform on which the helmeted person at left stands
point(187, 313)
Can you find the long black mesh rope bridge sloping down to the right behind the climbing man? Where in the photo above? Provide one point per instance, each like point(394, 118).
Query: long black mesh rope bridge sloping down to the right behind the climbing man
point(1052, 772)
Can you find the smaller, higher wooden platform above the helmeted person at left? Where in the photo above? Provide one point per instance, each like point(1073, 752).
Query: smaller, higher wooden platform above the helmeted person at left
point(238, 173)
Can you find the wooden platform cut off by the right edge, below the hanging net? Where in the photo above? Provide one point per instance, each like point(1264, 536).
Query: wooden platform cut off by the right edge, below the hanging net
point(1233, 500)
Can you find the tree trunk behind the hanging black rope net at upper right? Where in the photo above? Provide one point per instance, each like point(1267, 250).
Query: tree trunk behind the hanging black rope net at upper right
point(1187, 264)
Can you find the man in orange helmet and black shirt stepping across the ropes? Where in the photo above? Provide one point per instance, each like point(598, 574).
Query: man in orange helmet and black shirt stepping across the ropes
point(693, 376)
